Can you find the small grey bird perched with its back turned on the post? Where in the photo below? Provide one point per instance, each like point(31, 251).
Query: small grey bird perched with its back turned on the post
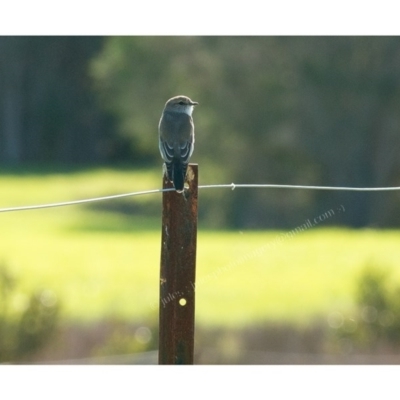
point(176, 134)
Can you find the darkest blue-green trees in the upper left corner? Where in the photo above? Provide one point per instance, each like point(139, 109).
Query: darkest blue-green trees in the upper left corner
point(48, 110)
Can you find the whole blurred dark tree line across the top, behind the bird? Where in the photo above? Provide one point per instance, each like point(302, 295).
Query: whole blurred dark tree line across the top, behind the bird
point(299, 110)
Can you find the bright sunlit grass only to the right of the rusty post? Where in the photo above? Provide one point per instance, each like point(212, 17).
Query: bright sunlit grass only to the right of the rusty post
point(311, 274)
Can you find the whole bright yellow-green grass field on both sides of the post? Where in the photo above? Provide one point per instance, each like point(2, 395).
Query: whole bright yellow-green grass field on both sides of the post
point(102, 260)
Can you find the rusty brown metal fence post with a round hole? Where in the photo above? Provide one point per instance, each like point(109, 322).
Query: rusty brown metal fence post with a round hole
point(178, 272)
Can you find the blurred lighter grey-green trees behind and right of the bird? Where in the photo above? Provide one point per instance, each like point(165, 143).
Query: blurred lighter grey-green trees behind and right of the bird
point(304, 110)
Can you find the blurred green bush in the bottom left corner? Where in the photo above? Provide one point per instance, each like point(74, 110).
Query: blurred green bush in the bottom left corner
point(27, 322)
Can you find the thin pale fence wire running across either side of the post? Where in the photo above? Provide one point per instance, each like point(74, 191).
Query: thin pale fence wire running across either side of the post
point(231, 186)
